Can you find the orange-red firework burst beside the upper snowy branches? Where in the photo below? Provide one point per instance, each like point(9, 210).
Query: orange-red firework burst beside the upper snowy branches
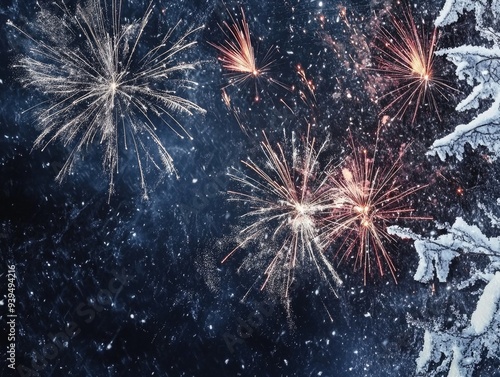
point(407, 55)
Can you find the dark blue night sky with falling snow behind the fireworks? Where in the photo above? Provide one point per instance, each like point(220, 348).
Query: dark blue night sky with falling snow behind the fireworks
point(119, 285)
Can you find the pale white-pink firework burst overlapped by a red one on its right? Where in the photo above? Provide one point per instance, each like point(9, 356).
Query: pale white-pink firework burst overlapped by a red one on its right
point(288, 202)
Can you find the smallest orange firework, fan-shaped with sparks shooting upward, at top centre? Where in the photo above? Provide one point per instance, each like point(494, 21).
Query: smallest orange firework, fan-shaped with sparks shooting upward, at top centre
point(237, 54)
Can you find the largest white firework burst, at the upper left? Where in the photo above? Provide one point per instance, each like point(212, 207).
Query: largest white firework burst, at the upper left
point(106, 85)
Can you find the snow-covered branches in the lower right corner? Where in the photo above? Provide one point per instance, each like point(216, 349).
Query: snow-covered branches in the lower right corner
point(458, 350)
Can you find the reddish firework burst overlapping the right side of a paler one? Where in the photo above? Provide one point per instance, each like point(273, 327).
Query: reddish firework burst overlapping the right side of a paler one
point(365, 199)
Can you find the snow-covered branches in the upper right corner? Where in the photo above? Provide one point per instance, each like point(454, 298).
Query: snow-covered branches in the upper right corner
point(479, 66)
